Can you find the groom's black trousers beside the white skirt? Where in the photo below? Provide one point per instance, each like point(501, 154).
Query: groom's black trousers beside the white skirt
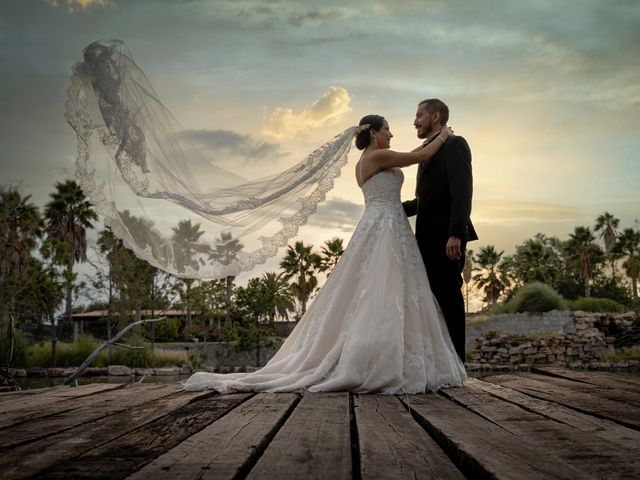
point(445, 278)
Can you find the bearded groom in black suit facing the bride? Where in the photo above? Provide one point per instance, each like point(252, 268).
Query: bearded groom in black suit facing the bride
point(442, 207)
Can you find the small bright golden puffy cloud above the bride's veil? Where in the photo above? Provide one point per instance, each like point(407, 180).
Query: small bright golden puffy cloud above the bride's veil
point(283, 122)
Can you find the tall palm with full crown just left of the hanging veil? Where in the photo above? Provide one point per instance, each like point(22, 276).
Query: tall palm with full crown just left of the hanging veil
point(68, 216)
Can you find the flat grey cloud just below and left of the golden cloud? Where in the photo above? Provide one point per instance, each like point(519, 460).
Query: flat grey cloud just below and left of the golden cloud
point(228, 143)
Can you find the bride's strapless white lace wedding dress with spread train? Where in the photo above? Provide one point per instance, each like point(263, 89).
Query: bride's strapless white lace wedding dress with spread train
point(375, 326)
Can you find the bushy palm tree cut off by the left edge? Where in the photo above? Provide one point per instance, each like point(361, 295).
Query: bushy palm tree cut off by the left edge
point(20, 229)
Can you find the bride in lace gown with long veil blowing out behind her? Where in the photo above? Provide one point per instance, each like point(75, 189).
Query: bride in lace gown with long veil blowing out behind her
point(375, 326)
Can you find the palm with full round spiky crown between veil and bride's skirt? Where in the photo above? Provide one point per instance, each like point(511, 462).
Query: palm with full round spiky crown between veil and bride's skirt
point(301, 264)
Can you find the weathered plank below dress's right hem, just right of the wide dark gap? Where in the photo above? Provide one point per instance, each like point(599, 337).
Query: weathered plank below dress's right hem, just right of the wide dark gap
point(482, 449)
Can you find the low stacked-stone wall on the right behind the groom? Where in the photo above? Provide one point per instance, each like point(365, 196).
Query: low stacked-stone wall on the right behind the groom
point(589, 340)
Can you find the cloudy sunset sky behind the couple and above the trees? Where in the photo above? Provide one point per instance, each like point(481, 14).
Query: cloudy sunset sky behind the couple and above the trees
point(547, 93)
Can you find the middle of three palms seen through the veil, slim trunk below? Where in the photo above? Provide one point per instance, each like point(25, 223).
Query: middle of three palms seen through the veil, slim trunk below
point(186, 241)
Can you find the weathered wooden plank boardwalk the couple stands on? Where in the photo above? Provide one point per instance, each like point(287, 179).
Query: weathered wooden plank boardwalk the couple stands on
point(551, 423)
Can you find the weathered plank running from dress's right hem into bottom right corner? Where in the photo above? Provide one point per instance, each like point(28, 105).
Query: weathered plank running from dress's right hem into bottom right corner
point(591, 455)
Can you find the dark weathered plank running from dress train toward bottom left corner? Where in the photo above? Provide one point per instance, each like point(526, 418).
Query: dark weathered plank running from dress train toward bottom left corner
point(136, 438)
